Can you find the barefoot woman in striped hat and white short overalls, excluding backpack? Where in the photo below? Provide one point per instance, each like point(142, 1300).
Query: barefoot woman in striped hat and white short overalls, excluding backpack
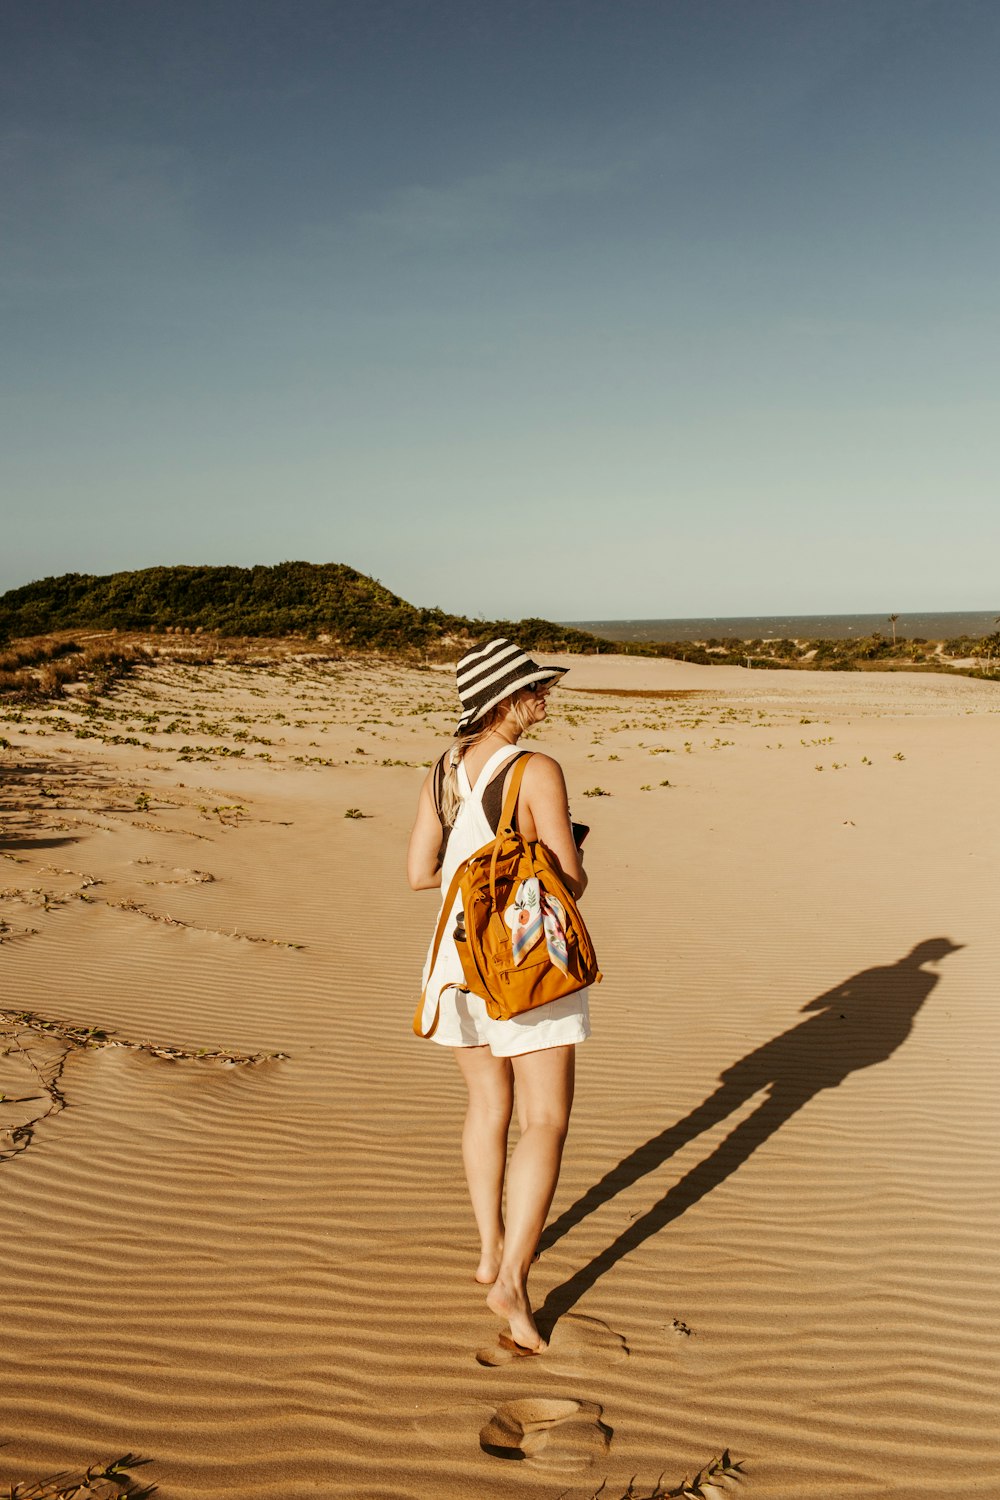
point(503, 695)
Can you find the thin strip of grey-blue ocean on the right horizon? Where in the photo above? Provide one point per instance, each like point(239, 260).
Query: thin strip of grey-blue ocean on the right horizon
point(929, 626)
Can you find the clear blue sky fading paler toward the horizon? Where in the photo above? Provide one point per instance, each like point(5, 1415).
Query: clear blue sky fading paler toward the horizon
point(575, 308)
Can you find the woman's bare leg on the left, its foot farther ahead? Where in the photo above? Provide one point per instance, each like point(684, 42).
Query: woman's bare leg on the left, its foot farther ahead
point(491, 1085)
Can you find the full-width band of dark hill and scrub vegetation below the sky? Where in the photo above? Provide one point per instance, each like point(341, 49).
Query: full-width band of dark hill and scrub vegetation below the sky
point(308, 607)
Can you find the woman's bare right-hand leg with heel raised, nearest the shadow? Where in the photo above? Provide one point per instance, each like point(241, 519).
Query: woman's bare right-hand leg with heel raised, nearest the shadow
point(545, 1099)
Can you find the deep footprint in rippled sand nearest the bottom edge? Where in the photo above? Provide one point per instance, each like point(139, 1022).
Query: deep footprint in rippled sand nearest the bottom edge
point(548, 1433)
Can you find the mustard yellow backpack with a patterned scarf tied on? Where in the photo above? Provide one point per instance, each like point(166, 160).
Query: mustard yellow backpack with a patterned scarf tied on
point(490, 883)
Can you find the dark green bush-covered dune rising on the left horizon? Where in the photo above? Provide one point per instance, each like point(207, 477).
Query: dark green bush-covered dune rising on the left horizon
point(292, 598)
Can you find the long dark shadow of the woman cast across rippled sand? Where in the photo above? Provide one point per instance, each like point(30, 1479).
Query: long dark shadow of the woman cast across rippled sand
point(857, 1025)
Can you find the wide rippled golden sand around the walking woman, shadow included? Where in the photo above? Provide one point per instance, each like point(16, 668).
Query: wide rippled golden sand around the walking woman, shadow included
point(238, 1234)
